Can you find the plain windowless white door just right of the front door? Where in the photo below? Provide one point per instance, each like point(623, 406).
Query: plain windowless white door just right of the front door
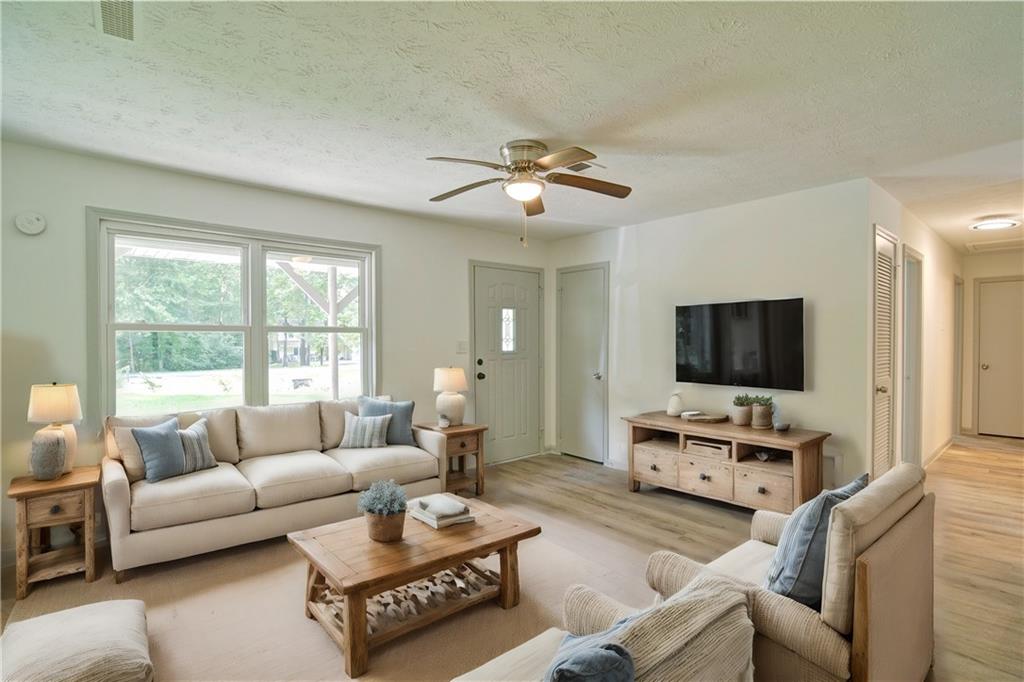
point(583, 350)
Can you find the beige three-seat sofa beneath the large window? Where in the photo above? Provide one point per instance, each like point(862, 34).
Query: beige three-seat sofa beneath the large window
point(280, 470)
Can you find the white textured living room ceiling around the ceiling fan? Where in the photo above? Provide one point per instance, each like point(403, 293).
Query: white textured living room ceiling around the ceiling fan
point(694, 105)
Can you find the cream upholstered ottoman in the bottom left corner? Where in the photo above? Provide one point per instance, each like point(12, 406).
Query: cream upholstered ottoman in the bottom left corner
point(106, 642)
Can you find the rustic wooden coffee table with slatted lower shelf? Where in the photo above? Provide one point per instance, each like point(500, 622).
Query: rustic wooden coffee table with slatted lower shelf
point(366, 593)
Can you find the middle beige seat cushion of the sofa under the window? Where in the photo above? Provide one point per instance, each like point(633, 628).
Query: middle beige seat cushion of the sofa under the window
point(284, 480)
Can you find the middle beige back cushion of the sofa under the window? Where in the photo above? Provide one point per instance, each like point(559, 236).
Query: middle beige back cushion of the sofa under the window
point(278, 430)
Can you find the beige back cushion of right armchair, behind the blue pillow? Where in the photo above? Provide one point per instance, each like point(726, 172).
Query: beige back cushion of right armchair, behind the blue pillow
point(855, 526)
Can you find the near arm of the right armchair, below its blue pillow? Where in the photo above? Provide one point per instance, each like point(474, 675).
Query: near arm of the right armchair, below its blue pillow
point(801, 630)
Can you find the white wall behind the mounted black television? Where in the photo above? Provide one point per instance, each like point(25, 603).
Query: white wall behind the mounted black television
point(814, 244)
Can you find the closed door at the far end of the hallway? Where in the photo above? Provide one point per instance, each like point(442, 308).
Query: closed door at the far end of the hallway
point(1001, 356)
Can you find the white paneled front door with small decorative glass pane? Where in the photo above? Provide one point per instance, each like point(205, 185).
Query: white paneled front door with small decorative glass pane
point(507, 365)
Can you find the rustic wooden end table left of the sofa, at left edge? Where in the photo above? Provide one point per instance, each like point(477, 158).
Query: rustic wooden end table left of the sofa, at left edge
point(39, 506)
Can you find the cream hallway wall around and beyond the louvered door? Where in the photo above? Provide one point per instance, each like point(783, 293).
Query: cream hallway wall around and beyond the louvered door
point(941, 266)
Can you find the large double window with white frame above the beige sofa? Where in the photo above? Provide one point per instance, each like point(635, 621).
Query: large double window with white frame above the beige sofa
point(200, 319)
